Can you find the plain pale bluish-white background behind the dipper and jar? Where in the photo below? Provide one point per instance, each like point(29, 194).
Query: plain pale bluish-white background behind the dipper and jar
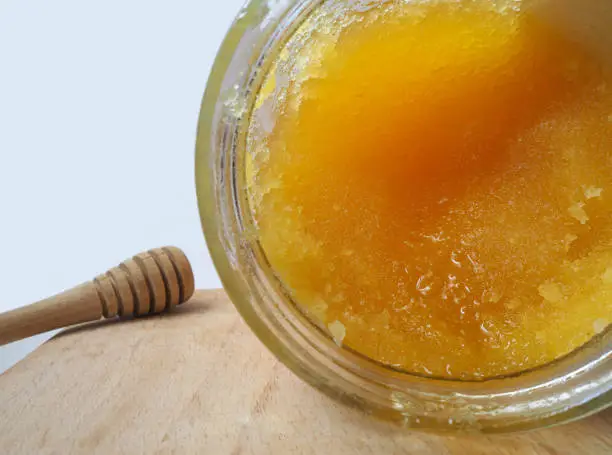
point(98, 111)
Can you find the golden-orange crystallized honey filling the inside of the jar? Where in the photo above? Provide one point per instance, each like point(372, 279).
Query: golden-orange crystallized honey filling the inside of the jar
point(432, 182)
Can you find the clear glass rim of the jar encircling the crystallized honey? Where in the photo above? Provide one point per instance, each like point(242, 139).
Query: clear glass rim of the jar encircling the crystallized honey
point(570, 388)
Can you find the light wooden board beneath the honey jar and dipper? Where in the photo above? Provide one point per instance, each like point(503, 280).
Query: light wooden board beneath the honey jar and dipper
point(198, 381)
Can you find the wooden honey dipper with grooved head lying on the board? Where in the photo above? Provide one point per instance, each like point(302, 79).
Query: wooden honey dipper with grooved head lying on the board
point(150, 282)
